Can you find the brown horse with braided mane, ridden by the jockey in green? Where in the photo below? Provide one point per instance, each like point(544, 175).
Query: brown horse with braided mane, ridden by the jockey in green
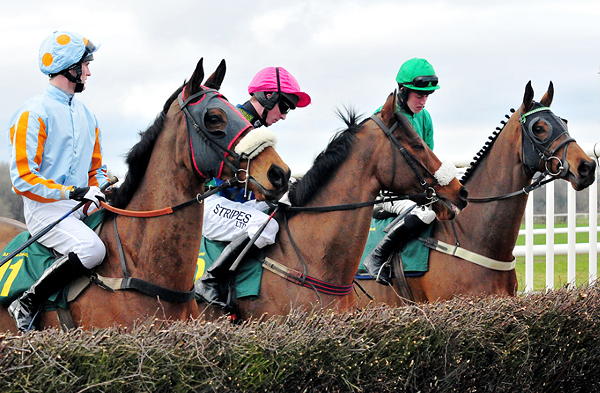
point(504, 166)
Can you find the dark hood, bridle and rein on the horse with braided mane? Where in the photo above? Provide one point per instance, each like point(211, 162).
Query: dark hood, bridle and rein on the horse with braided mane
point(537, 151)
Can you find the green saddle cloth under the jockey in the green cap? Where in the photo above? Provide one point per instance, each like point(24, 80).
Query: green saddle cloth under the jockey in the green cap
point(415, 256)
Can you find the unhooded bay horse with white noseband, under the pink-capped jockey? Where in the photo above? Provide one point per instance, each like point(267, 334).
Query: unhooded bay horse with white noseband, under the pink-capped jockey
point(322, 250)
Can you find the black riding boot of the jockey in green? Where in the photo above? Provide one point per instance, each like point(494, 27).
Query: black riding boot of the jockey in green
point(376, 262)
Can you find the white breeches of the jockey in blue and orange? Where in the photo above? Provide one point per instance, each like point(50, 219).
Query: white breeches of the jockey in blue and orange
point(70, 235)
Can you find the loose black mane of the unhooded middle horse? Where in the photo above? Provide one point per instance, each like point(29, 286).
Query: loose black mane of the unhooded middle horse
point(328, 161)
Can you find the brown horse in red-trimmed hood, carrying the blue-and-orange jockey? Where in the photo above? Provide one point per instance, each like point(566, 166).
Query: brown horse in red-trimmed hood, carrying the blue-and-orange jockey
point(165, 169)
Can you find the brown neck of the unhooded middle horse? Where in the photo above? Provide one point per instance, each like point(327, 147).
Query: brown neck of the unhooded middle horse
point(331, 243)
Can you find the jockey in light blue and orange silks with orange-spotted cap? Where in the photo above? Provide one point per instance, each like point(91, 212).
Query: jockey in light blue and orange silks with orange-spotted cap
point(56, 161)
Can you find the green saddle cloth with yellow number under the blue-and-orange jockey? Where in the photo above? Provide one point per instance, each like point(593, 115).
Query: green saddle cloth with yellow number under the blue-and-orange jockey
point(18, 274)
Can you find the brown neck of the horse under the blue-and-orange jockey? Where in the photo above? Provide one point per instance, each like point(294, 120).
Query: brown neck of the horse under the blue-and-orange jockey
point(164, 249)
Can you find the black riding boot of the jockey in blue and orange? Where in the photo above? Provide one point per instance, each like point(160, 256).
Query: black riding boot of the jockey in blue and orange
point(26, 308)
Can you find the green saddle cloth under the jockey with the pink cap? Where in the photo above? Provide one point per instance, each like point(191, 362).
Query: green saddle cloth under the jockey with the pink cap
point(248, 275)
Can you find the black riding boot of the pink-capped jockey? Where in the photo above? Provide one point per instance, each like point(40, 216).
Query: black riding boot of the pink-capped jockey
point(209, 286)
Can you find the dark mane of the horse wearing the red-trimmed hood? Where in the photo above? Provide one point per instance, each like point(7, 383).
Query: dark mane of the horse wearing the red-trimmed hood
point(138, 157)
